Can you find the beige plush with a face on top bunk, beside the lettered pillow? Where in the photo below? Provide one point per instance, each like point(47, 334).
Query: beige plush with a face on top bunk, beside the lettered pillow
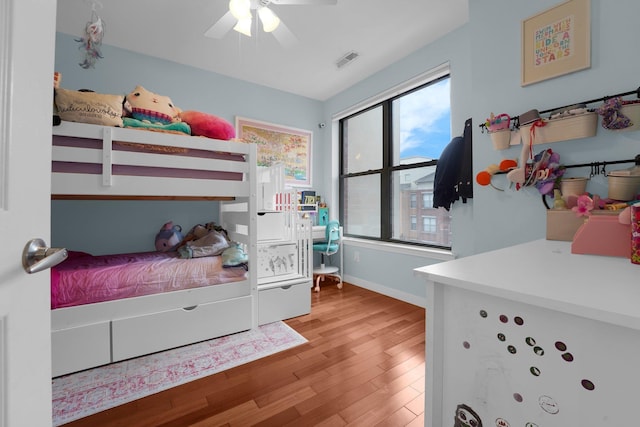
point(150, 107)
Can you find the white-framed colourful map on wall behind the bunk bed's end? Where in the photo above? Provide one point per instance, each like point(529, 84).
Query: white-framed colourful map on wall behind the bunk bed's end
point(280, 144)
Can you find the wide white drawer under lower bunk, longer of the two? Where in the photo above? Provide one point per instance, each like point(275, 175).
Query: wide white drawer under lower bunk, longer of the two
point(154, 332)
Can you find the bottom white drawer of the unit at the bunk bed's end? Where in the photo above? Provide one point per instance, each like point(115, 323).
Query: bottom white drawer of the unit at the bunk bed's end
point(279, 301)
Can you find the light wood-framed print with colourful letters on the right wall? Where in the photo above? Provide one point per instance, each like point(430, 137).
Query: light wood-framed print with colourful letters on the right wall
point(556, 42)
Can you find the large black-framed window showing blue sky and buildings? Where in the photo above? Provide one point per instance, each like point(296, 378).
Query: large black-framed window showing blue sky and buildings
point(389, 152)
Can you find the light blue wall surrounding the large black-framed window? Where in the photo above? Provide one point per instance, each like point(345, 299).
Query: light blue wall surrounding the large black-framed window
point(388, 270)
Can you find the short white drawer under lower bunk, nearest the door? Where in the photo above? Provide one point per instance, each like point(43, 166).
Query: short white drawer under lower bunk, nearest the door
point(83, 347)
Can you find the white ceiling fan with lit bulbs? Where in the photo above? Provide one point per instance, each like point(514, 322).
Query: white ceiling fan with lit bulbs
point(240, 18)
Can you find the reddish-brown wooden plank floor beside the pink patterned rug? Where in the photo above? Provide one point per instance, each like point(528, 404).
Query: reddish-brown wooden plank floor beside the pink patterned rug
point(363, 366)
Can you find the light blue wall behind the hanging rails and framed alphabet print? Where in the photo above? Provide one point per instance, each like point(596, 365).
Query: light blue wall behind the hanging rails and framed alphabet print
point(506, 218)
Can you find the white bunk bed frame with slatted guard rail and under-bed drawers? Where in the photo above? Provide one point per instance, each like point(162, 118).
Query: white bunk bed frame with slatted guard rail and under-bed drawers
point(90, 335)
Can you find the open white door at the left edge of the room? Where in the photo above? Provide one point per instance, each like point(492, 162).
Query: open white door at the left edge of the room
point(27, 44)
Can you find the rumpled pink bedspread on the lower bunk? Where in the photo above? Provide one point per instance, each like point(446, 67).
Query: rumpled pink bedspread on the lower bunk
point(86, 279)
